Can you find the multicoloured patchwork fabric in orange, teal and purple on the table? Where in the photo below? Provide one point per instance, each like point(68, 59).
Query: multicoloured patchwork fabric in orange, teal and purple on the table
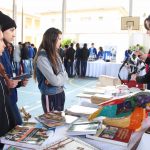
point(129, 111)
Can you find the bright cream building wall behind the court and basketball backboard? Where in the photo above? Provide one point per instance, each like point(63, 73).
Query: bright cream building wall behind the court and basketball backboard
point(101, 26)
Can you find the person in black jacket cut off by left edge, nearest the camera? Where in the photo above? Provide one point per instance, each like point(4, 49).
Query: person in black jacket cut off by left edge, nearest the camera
point(7, 118)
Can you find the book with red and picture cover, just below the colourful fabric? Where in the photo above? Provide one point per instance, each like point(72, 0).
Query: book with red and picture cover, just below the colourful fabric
point(114, 135)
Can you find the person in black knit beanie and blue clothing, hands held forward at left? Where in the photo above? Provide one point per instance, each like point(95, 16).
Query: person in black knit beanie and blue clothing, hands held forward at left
point(8, 29)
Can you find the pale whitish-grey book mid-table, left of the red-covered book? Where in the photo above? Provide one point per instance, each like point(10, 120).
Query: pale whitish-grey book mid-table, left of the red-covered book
point(82, 127)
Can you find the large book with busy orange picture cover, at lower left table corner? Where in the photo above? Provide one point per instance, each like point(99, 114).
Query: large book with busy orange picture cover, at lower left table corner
point(26, 137)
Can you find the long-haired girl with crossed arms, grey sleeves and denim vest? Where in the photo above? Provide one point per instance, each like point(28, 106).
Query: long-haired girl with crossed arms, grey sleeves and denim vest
point(49, 71)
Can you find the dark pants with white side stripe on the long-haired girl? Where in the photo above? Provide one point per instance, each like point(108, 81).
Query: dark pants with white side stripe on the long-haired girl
point(53, 102)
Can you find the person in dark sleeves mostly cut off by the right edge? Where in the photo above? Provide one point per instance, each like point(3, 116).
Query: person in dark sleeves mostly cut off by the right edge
point(144, 57)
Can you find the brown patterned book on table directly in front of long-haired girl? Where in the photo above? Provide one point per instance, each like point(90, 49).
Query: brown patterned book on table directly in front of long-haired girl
point(51, 120)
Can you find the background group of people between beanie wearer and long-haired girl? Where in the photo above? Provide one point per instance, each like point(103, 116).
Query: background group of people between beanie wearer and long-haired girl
point(22, 56)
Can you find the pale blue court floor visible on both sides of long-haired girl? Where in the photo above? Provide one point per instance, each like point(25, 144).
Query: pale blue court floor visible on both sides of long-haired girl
point(30, 96)
